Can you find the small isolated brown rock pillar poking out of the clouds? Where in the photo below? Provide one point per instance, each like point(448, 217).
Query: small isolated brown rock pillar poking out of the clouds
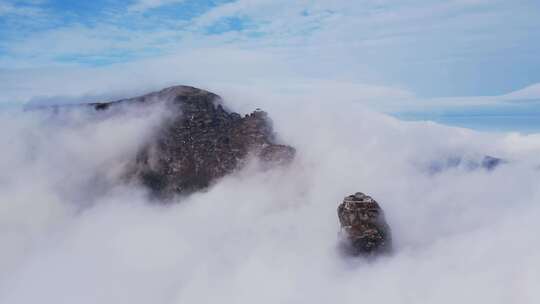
point(364, 228)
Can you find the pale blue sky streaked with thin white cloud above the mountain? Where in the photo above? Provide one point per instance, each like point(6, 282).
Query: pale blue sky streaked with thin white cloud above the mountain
point(421, 48)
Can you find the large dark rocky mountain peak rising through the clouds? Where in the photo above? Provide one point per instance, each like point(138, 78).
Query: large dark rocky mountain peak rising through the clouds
point(201, 142)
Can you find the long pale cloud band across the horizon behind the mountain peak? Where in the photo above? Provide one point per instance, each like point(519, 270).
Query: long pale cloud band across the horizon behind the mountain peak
point(254, 71)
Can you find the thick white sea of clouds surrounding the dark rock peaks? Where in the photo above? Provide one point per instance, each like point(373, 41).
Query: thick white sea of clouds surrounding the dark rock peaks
point(73, 231)
